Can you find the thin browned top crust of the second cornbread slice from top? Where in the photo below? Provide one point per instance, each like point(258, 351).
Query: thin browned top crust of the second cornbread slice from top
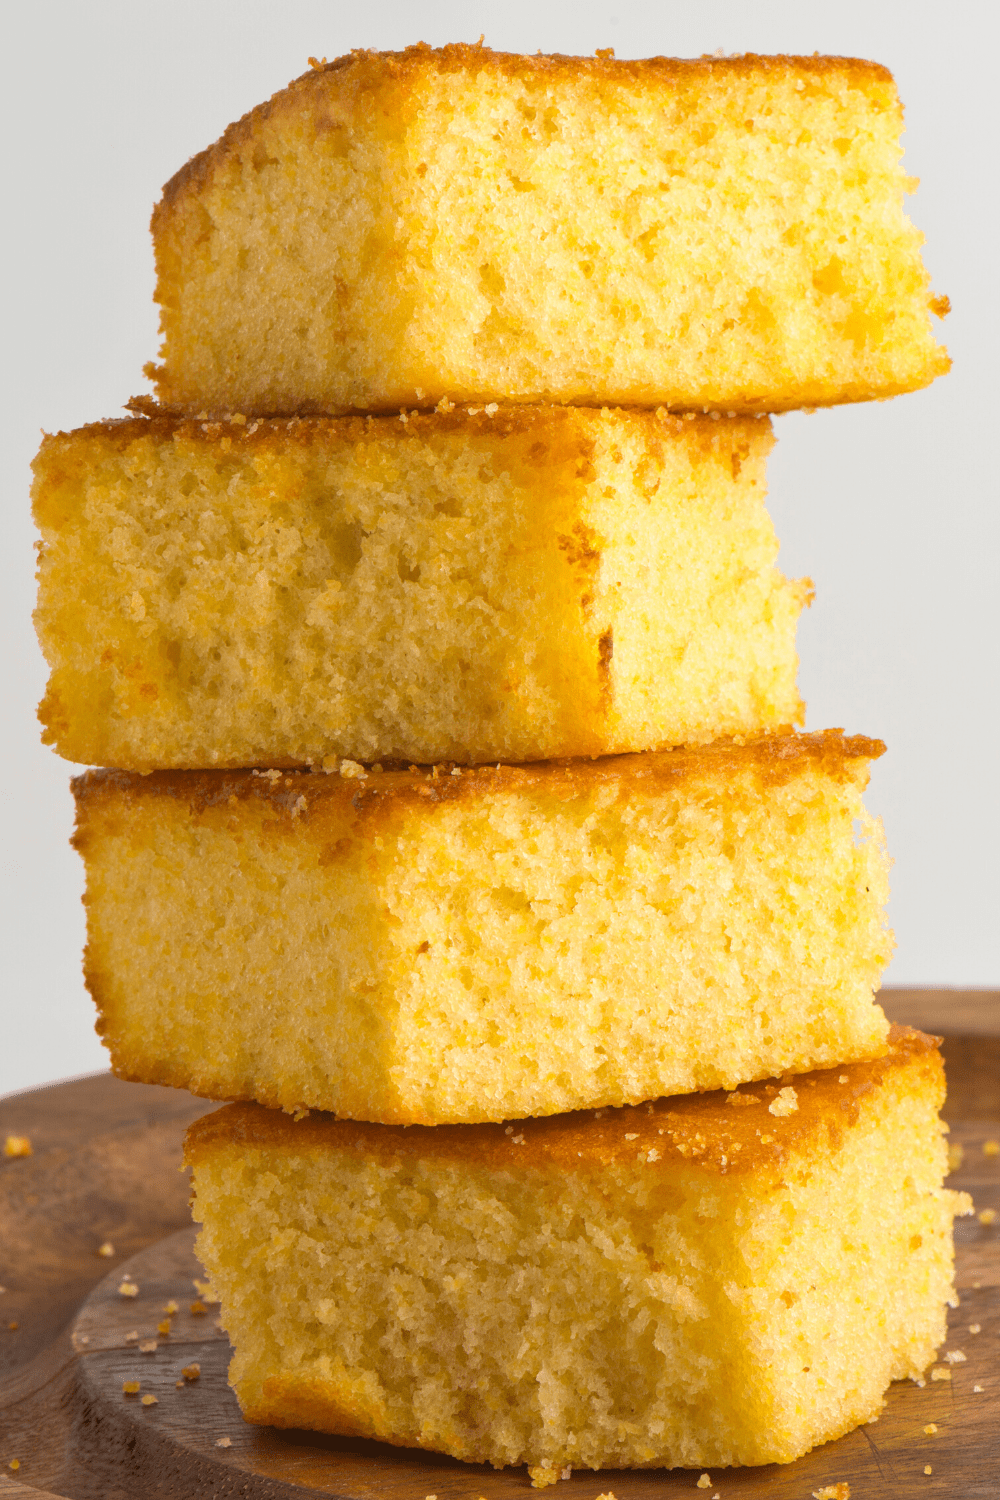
point(473, 421)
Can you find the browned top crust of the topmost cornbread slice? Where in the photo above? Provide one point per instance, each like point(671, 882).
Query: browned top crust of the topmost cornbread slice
point(368, 70)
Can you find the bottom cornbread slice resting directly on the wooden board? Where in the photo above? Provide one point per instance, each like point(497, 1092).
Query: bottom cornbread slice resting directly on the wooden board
point(696, 1282)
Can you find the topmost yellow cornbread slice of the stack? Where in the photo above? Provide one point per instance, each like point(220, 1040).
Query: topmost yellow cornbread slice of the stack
point(394, 229)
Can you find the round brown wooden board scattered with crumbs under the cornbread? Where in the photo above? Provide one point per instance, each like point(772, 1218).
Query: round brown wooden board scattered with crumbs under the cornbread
point(106, 1169)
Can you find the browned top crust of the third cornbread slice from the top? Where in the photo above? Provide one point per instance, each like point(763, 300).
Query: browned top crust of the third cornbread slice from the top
point(776, 760)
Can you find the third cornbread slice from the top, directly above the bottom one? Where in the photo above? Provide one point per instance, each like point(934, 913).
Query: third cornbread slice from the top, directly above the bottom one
point(431, 947)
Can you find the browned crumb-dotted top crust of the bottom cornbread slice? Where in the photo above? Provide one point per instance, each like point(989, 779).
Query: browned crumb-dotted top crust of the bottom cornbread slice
point(704, 1130)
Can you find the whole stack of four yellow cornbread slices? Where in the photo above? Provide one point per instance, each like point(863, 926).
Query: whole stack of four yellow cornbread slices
point(452, 781)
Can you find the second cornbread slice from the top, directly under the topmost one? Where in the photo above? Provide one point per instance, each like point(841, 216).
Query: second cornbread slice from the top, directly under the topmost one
point(504, 586)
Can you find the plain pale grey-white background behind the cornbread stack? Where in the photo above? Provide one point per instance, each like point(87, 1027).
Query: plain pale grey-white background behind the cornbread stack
point(890, 508)
